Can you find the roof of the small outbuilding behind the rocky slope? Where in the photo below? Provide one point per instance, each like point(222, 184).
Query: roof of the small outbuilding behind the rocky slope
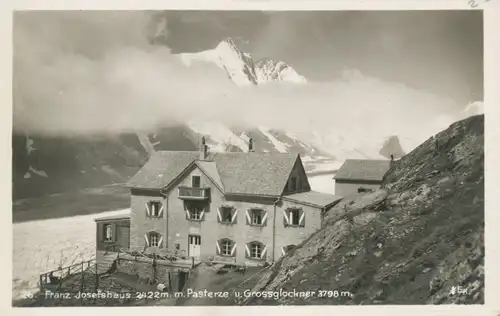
point(363, 169)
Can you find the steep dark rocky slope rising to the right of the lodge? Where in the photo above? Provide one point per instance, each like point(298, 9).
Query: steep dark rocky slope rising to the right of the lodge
point(412, 242)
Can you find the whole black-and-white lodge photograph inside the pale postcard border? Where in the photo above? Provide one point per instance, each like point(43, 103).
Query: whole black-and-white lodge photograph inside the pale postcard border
point(248, 158)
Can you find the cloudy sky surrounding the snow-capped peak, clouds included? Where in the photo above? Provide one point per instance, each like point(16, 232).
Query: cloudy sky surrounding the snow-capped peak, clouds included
point(369, 73)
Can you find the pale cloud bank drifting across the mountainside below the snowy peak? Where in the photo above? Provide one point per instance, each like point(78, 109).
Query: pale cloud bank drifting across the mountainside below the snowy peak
point(84, 72)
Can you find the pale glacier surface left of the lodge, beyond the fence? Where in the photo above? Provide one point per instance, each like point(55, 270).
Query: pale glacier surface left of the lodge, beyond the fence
point(41, 246)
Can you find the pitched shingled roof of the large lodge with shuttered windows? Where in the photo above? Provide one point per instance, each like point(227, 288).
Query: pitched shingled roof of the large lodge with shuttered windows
point(237, 173)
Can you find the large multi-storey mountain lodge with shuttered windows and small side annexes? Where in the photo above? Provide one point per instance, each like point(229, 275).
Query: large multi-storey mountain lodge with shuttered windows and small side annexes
point(241, 208)
